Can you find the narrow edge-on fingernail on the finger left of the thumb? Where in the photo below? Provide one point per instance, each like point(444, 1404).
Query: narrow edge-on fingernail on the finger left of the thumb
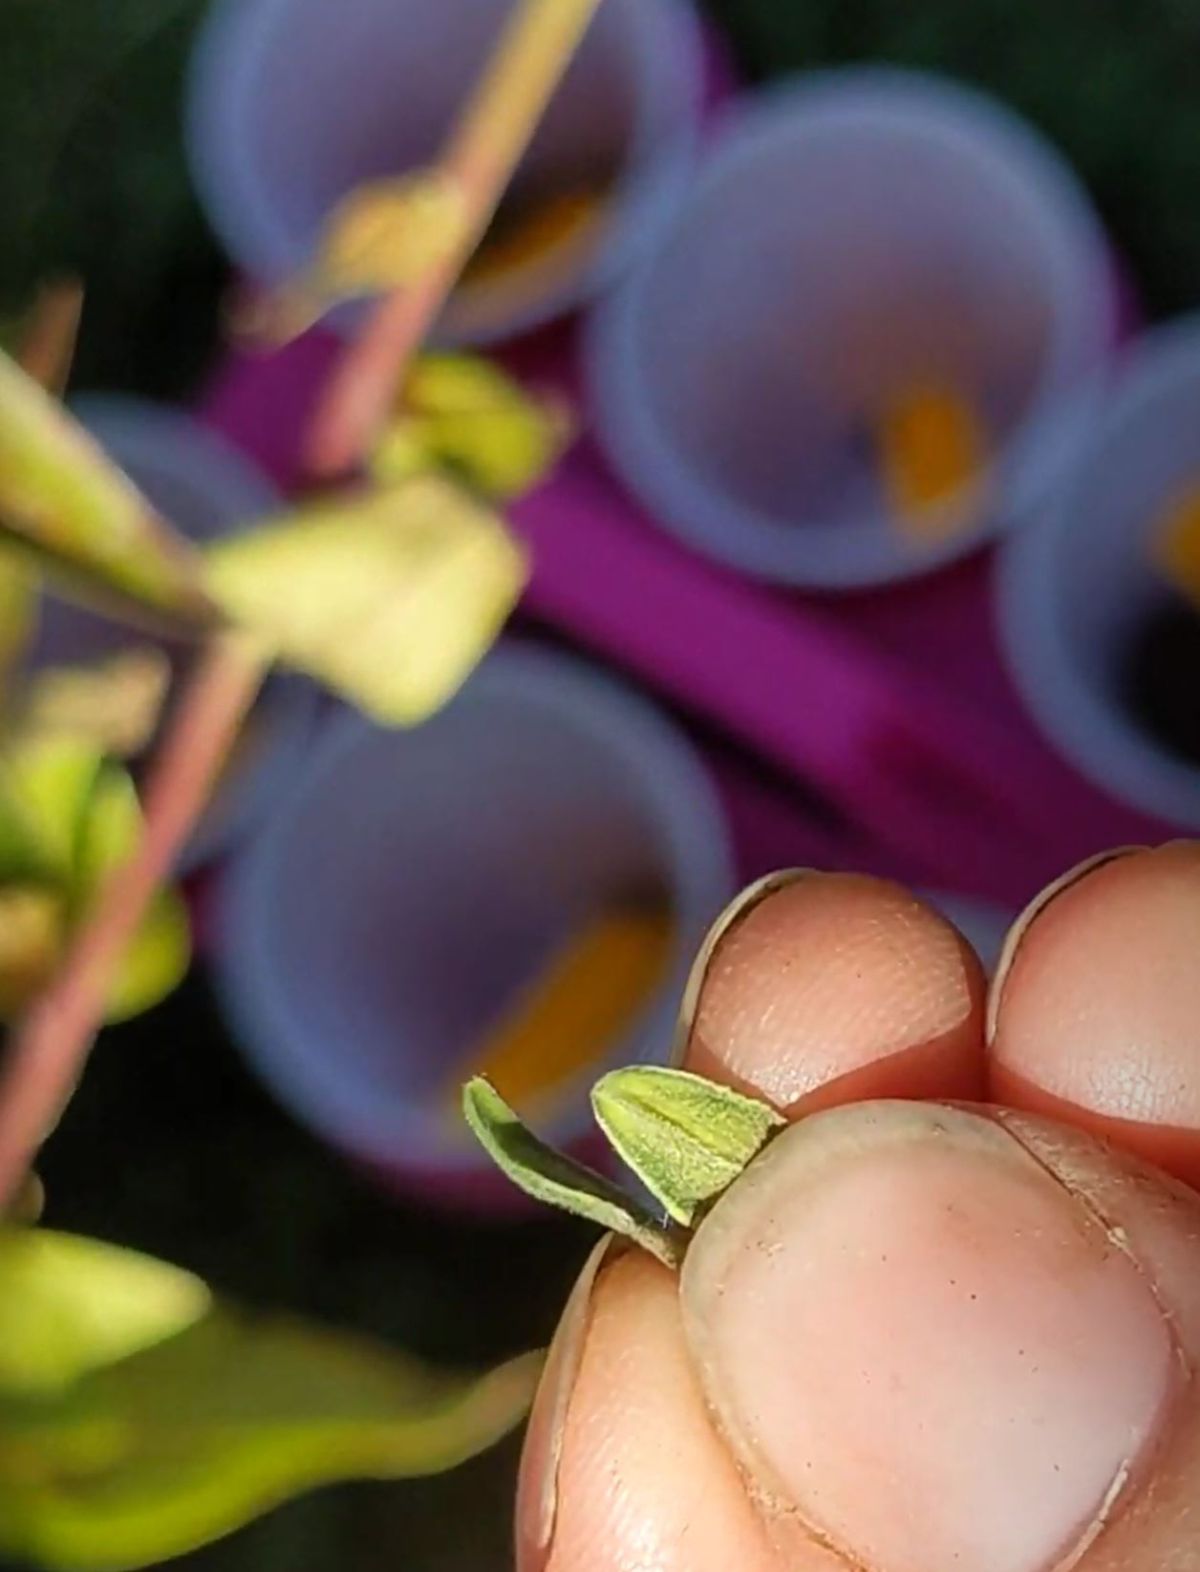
point(543, 1453)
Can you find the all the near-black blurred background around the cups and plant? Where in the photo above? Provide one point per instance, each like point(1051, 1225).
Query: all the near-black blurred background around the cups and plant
point(169, 1145)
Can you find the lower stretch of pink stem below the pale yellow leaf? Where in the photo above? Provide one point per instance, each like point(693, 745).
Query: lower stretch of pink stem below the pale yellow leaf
point(50, 1045)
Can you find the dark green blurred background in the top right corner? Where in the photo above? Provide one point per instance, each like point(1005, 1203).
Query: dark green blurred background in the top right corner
point(1111, 81)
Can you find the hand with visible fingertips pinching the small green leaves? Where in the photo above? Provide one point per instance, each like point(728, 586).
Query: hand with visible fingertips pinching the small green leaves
point(915, 1339)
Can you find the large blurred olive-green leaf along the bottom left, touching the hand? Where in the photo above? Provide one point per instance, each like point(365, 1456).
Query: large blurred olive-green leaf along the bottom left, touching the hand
point(188, 1441)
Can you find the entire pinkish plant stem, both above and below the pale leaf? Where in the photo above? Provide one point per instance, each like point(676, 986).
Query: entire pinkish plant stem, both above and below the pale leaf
point(48, 1048)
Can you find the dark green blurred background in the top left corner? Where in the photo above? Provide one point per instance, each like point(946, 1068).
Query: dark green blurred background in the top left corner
point(94, 182)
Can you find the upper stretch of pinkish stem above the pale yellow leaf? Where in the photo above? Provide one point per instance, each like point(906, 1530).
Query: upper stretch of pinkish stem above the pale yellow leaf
point(485, 149)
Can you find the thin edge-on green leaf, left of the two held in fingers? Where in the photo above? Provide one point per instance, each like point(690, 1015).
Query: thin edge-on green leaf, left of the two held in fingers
point(558, 1180)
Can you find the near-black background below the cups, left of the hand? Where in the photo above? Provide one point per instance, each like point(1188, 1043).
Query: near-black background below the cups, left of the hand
point(171, 1148)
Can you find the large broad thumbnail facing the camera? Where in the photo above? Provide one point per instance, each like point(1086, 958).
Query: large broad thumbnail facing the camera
point(924, 1345)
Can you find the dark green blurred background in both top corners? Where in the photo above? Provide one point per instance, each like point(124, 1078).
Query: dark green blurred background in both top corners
point(92, 169)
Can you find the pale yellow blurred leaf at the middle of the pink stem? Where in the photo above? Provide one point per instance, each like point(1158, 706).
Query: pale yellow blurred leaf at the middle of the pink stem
point(389, 597)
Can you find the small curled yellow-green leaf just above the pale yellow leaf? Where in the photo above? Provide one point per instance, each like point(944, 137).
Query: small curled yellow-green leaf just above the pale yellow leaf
point(469, 416)
